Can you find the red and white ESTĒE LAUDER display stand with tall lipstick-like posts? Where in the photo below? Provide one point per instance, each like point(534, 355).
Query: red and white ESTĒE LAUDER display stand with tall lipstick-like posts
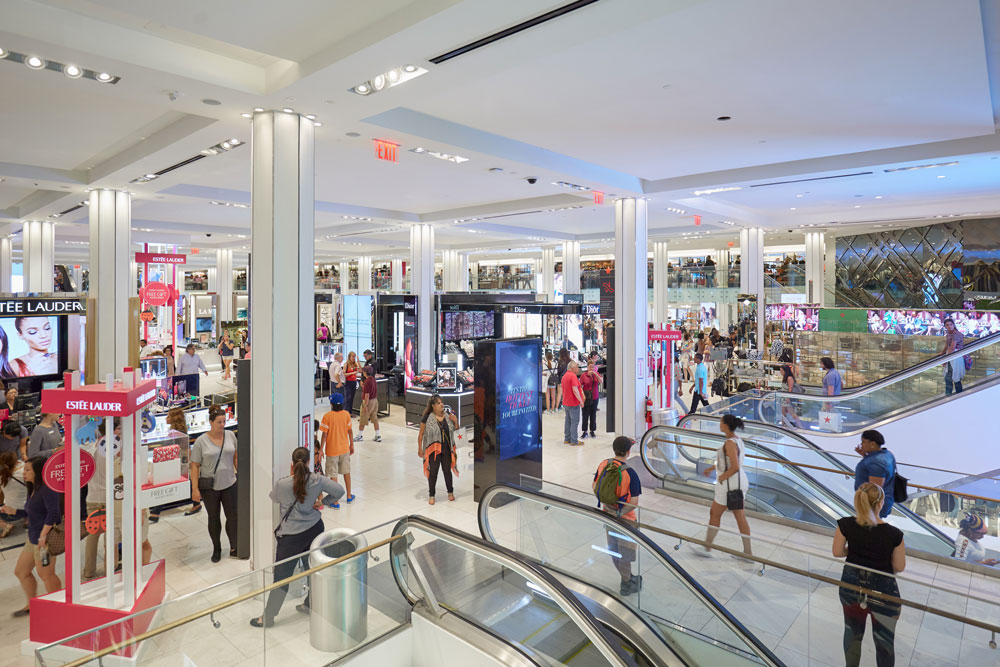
point(85, 605)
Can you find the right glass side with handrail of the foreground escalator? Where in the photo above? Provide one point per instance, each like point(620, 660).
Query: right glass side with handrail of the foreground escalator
point(577, 544)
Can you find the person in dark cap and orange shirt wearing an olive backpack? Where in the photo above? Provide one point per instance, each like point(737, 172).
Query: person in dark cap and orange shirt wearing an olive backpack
point(616, 486)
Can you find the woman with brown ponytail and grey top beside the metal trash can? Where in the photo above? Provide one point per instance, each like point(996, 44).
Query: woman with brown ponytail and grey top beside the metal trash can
point(300, 497)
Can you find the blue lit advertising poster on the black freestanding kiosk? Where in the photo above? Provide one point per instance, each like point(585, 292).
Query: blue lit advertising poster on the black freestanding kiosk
point(518, 397)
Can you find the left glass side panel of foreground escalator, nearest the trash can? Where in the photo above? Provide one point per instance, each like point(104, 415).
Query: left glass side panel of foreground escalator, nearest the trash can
point(484, 591)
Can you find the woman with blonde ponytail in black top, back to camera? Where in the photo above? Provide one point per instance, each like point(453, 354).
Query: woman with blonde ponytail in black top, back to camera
point(875, 552)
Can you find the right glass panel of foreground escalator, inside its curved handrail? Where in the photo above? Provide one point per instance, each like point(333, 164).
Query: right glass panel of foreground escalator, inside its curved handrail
point(601, 554)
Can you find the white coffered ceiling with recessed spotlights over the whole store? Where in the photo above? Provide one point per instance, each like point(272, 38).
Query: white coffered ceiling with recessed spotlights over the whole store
point(618, 96)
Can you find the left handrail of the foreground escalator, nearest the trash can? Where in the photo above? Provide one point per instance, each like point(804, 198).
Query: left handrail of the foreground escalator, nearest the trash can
point(513, 561)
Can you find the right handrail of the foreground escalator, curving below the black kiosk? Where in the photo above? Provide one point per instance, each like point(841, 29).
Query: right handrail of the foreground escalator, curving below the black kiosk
point(723, 614)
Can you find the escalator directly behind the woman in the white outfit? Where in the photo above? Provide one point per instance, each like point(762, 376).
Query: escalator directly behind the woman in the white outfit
point(812, 492)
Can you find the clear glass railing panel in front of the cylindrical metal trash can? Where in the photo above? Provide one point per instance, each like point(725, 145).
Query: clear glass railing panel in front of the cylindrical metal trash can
point(225, 637)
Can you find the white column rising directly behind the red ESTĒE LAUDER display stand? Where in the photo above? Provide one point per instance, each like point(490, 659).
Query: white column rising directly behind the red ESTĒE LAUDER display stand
point(111, 280)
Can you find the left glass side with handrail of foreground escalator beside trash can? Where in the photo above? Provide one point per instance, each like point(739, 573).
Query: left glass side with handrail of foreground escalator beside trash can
point(476, 588)
